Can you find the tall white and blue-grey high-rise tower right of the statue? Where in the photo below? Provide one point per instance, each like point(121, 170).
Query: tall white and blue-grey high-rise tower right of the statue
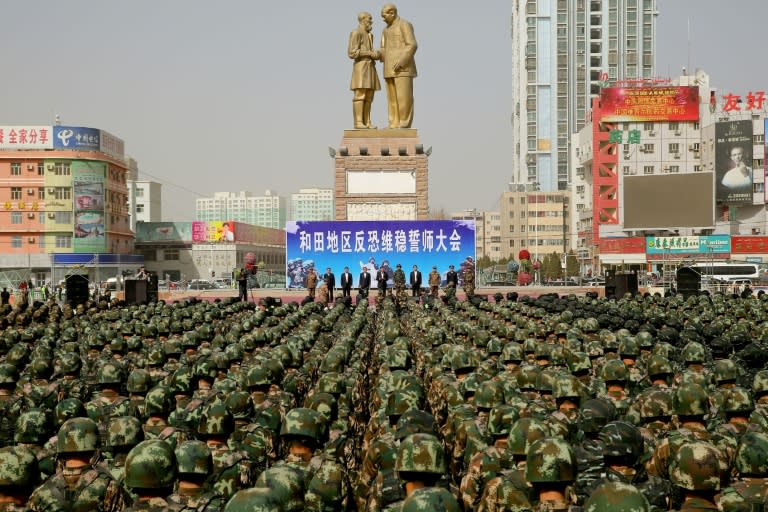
point(562, 52)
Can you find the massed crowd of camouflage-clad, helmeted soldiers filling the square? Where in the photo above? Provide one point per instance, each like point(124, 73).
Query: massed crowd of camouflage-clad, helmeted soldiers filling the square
point(503, 403)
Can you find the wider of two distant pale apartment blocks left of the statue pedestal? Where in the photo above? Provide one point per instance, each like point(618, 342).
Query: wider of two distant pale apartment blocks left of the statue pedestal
point(268, 210)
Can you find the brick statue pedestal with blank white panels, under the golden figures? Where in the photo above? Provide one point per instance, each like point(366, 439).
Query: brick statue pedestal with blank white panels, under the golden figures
point(381, 175)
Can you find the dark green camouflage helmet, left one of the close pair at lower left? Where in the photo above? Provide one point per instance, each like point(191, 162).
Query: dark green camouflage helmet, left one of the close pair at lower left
point(150, 465)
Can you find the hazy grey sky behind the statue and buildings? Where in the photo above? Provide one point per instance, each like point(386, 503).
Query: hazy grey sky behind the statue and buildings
point(248, 95)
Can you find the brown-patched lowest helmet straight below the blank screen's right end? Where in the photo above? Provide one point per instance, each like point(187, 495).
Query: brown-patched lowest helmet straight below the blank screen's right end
point(696, 467)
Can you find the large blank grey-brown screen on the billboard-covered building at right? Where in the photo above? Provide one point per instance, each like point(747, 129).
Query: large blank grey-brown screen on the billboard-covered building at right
point(670, 201)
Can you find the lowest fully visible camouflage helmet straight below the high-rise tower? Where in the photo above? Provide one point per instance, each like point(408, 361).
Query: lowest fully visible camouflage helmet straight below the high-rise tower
point(550, 460)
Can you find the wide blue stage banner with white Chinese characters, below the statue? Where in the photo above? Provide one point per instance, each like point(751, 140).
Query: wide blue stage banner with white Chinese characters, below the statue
point(377, 244)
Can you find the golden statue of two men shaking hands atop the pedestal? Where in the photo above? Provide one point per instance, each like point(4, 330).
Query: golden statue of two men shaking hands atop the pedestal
point(398, 47)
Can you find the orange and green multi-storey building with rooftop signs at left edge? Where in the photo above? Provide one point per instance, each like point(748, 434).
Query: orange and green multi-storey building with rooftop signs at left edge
point(63, 190)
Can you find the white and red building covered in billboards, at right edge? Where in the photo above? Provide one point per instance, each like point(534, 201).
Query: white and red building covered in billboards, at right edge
point(650, 185)
